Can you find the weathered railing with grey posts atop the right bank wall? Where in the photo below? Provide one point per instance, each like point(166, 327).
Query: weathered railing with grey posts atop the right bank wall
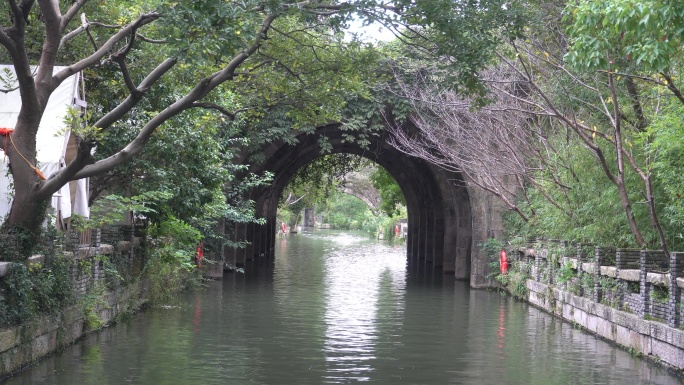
point(644, 282)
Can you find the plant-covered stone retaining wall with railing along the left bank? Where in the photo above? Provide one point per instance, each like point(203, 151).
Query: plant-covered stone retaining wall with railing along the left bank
point(24, 344)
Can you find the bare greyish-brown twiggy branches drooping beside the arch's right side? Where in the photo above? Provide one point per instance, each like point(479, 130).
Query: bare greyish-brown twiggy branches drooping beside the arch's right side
point(498, 147)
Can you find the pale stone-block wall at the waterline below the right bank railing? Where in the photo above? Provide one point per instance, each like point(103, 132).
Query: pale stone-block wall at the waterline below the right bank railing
point(650, 338)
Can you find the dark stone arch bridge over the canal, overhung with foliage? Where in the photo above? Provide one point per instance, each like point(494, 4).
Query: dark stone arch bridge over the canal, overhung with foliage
point(447, 217)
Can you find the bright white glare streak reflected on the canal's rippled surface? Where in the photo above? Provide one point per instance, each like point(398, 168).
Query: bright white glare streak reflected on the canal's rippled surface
point(357, 311)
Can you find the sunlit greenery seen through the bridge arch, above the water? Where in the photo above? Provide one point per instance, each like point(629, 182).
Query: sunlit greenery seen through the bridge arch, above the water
point(338, 191)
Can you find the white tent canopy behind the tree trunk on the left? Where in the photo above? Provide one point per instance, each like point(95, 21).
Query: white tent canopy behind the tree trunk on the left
point(52, 149)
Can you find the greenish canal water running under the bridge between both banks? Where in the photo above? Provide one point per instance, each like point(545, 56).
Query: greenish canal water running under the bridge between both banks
point(338, 308)
